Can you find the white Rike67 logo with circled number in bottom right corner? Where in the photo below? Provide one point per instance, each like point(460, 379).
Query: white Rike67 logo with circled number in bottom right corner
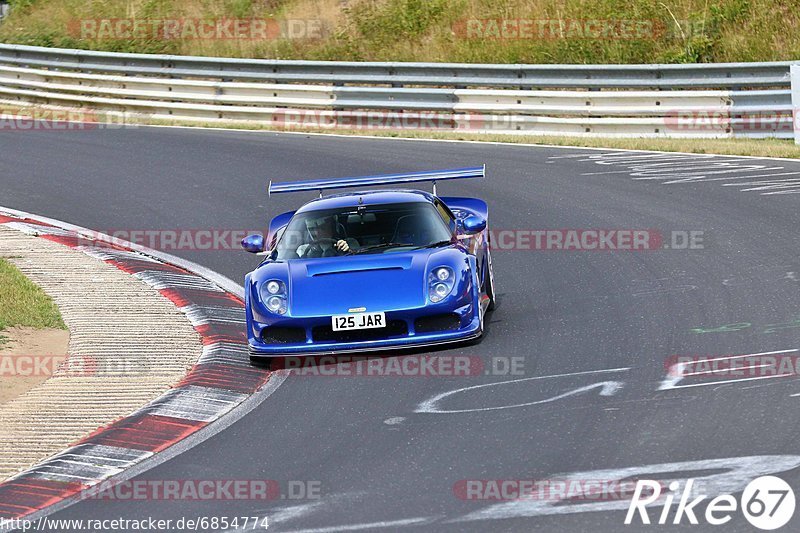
point(767, 502)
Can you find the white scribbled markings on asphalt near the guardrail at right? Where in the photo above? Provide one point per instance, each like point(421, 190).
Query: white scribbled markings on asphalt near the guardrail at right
point(766, 178)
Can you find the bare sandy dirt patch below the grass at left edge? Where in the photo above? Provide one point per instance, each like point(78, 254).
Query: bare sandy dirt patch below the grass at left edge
point(28, 357)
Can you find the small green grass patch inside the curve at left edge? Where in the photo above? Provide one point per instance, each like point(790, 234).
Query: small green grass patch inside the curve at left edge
point(24, 304)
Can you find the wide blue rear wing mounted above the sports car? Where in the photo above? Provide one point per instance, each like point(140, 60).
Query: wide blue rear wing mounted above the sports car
point(385, 179)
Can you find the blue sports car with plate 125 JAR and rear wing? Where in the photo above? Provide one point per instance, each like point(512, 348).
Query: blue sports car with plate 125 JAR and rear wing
point(370, 270)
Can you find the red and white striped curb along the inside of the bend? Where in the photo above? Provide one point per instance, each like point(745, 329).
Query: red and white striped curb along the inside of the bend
point(221, 380)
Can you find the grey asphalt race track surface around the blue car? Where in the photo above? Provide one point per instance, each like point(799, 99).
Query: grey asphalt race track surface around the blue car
point(596, 328)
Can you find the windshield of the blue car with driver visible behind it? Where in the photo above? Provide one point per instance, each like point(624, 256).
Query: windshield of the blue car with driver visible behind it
point(363, 229)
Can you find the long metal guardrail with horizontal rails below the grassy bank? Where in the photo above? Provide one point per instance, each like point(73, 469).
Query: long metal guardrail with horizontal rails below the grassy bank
point(708, 100)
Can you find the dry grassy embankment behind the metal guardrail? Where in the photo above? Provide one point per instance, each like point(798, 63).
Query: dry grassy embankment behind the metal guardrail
point(679, 31)
